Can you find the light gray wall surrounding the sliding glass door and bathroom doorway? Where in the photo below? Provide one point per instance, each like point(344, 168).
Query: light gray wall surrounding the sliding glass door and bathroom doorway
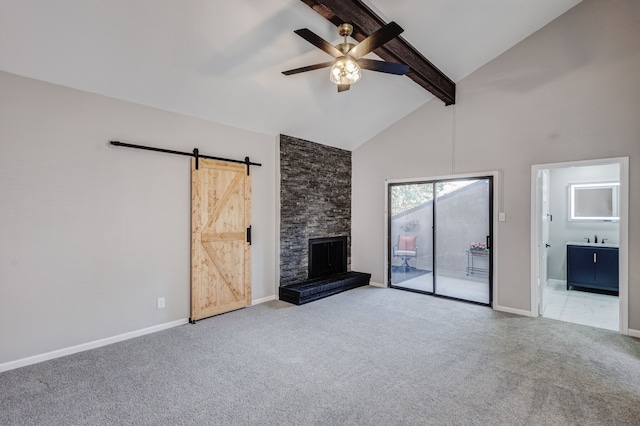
point(568, 92)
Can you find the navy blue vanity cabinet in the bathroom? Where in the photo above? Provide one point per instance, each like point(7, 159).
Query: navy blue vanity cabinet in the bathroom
point(592, 267)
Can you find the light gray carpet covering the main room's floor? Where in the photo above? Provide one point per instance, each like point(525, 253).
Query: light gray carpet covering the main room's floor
point(368, 356)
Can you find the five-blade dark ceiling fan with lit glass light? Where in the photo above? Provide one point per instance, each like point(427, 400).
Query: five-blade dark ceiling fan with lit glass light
point(345, 69)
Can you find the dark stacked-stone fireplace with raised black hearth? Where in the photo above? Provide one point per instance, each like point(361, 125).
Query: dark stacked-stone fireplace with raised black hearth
point(315, 221)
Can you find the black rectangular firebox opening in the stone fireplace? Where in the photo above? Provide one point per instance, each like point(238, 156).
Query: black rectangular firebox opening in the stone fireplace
point(327, 256)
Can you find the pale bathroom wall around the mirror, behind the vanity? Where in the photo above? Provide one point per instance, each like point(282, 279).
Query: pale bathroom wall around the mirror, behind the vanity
point(561, 230)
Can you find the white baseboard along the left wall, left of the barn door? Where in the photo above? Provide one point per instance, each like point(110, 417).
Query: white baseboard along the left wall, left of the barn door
point(11, 365)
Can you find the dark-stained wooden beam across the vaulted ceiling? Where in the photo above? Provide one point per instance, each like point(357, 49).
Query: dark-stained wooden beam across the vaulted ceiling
point(365, 21)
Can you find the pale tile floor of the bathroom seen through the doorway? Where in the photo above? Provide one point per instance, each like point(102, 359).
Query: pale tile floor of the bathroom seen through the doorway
point(580, 307)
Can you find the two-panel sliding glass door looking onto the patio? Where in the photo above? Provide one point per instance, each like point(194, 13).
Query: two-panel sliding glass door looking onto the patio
point(440, 238)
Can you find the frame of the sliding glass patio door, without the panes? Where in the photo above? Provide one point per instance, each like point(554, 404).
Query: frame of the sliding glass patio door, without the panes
point(493, 218)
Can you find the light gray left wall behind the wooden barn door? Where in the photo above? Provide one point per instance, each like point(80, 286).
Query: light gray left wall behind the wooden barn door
point(92, 235)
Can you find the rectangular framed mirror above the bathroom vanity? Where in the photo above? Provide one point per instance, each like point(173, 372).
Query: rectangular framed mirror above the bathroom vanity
point(594, 201)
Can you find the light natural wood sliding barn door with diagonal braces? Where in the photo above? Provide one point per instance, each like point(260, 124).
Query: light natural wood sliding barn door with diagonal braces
point(220, 253)
